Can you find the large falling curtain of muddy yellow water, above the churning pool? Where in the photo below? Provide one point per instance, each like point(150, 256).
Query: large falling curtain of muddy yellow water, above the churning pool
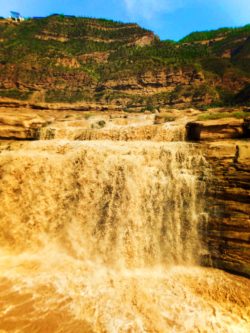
point(128, 204)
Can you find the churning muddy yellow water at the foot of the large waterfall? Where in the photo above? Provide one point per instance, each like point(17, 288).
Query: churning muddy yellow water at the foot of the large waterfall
point(57, 294)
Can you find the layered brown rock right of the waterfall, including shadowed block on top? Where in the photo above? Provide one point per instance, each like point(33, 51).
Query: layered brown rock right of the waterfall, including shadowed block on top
point(227, 149)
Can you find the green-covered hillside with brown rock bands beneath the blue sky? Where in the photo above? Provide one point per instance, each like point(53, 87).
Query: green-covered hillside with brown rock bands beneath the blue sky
point(67, 59)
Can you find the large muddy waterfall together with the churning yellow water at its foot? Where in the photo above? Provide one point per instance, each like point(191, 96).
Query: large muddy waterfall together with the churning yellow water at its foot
point(106, 237)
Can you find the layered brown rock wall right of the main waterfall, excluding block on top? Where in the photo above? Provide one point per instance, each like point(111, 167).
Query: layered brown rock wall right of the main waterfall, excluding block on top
point(228, 230)
